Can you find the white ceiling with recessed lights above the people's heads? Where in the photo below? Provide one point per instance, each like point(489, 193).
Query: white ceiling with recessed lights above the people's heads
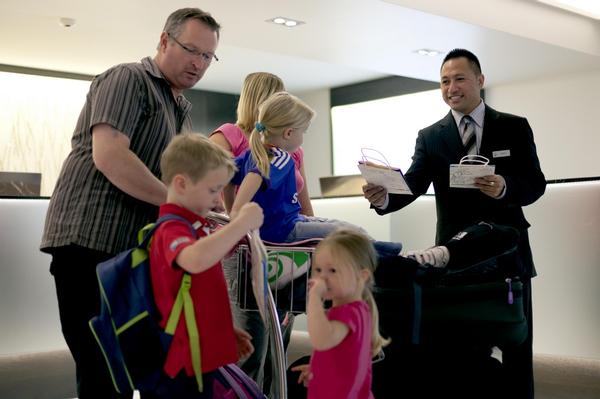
point(342, 41)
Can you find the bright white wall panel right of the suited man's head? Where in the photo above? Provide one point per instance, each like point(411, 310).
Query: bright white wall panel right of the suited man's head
point(563, 112)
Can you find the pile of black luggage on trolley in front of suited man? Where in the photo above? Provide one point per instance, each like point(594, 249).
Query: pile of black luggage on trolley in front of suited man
point(475, 300)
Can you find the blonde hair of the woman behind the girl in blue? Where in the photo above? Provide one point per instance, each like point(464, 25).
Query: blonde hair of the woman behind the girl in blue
point(257, 87)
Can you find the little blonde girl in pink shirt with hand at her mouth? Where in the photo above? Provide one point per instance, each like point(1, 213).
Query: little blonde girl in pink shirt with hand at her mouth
point(345, 337)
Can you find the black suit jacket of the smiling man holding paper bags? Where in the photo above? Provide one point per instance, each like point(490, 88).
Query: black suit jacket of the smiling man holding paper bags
point(440, 145)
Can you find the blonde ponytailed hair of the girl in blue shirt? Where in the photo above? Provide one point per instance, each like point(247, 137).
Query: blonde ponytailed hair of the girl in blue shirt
point(279, 112)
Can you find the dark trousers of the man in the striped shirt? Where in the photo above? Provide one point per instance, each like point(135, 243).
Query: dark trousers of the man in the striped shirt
point(74, 271)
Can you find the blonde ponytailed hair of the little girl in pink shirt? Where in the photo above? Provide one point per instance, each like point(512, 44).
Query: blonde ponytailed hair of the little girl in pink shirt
point(355, 248)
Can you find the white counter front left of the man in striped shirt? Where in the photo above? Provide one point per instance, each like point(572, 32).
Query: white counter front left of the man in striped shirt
point(28, 305)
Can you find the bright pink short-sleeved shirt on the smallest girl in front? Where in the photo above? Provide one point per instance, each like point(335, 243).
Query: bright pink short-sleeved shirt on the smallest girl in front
point(344, 372)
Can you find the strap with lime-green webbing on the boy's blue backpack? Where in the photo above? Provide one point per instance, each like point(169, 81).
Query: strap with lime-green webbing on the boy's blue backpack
point(183, 301)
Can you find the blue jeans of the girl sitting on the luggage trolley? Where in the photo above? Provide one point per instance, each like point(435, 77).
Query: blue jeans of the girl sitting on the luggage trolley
point(318, 227)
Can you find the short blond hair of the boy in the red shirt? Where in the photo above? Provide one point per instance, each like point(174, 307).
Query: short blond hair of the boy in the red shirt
point(193, 155)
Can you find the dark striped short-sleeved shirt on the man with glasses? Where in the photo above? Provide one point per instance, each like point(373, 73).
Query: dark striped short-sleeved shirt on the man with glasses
point(85, 208)
